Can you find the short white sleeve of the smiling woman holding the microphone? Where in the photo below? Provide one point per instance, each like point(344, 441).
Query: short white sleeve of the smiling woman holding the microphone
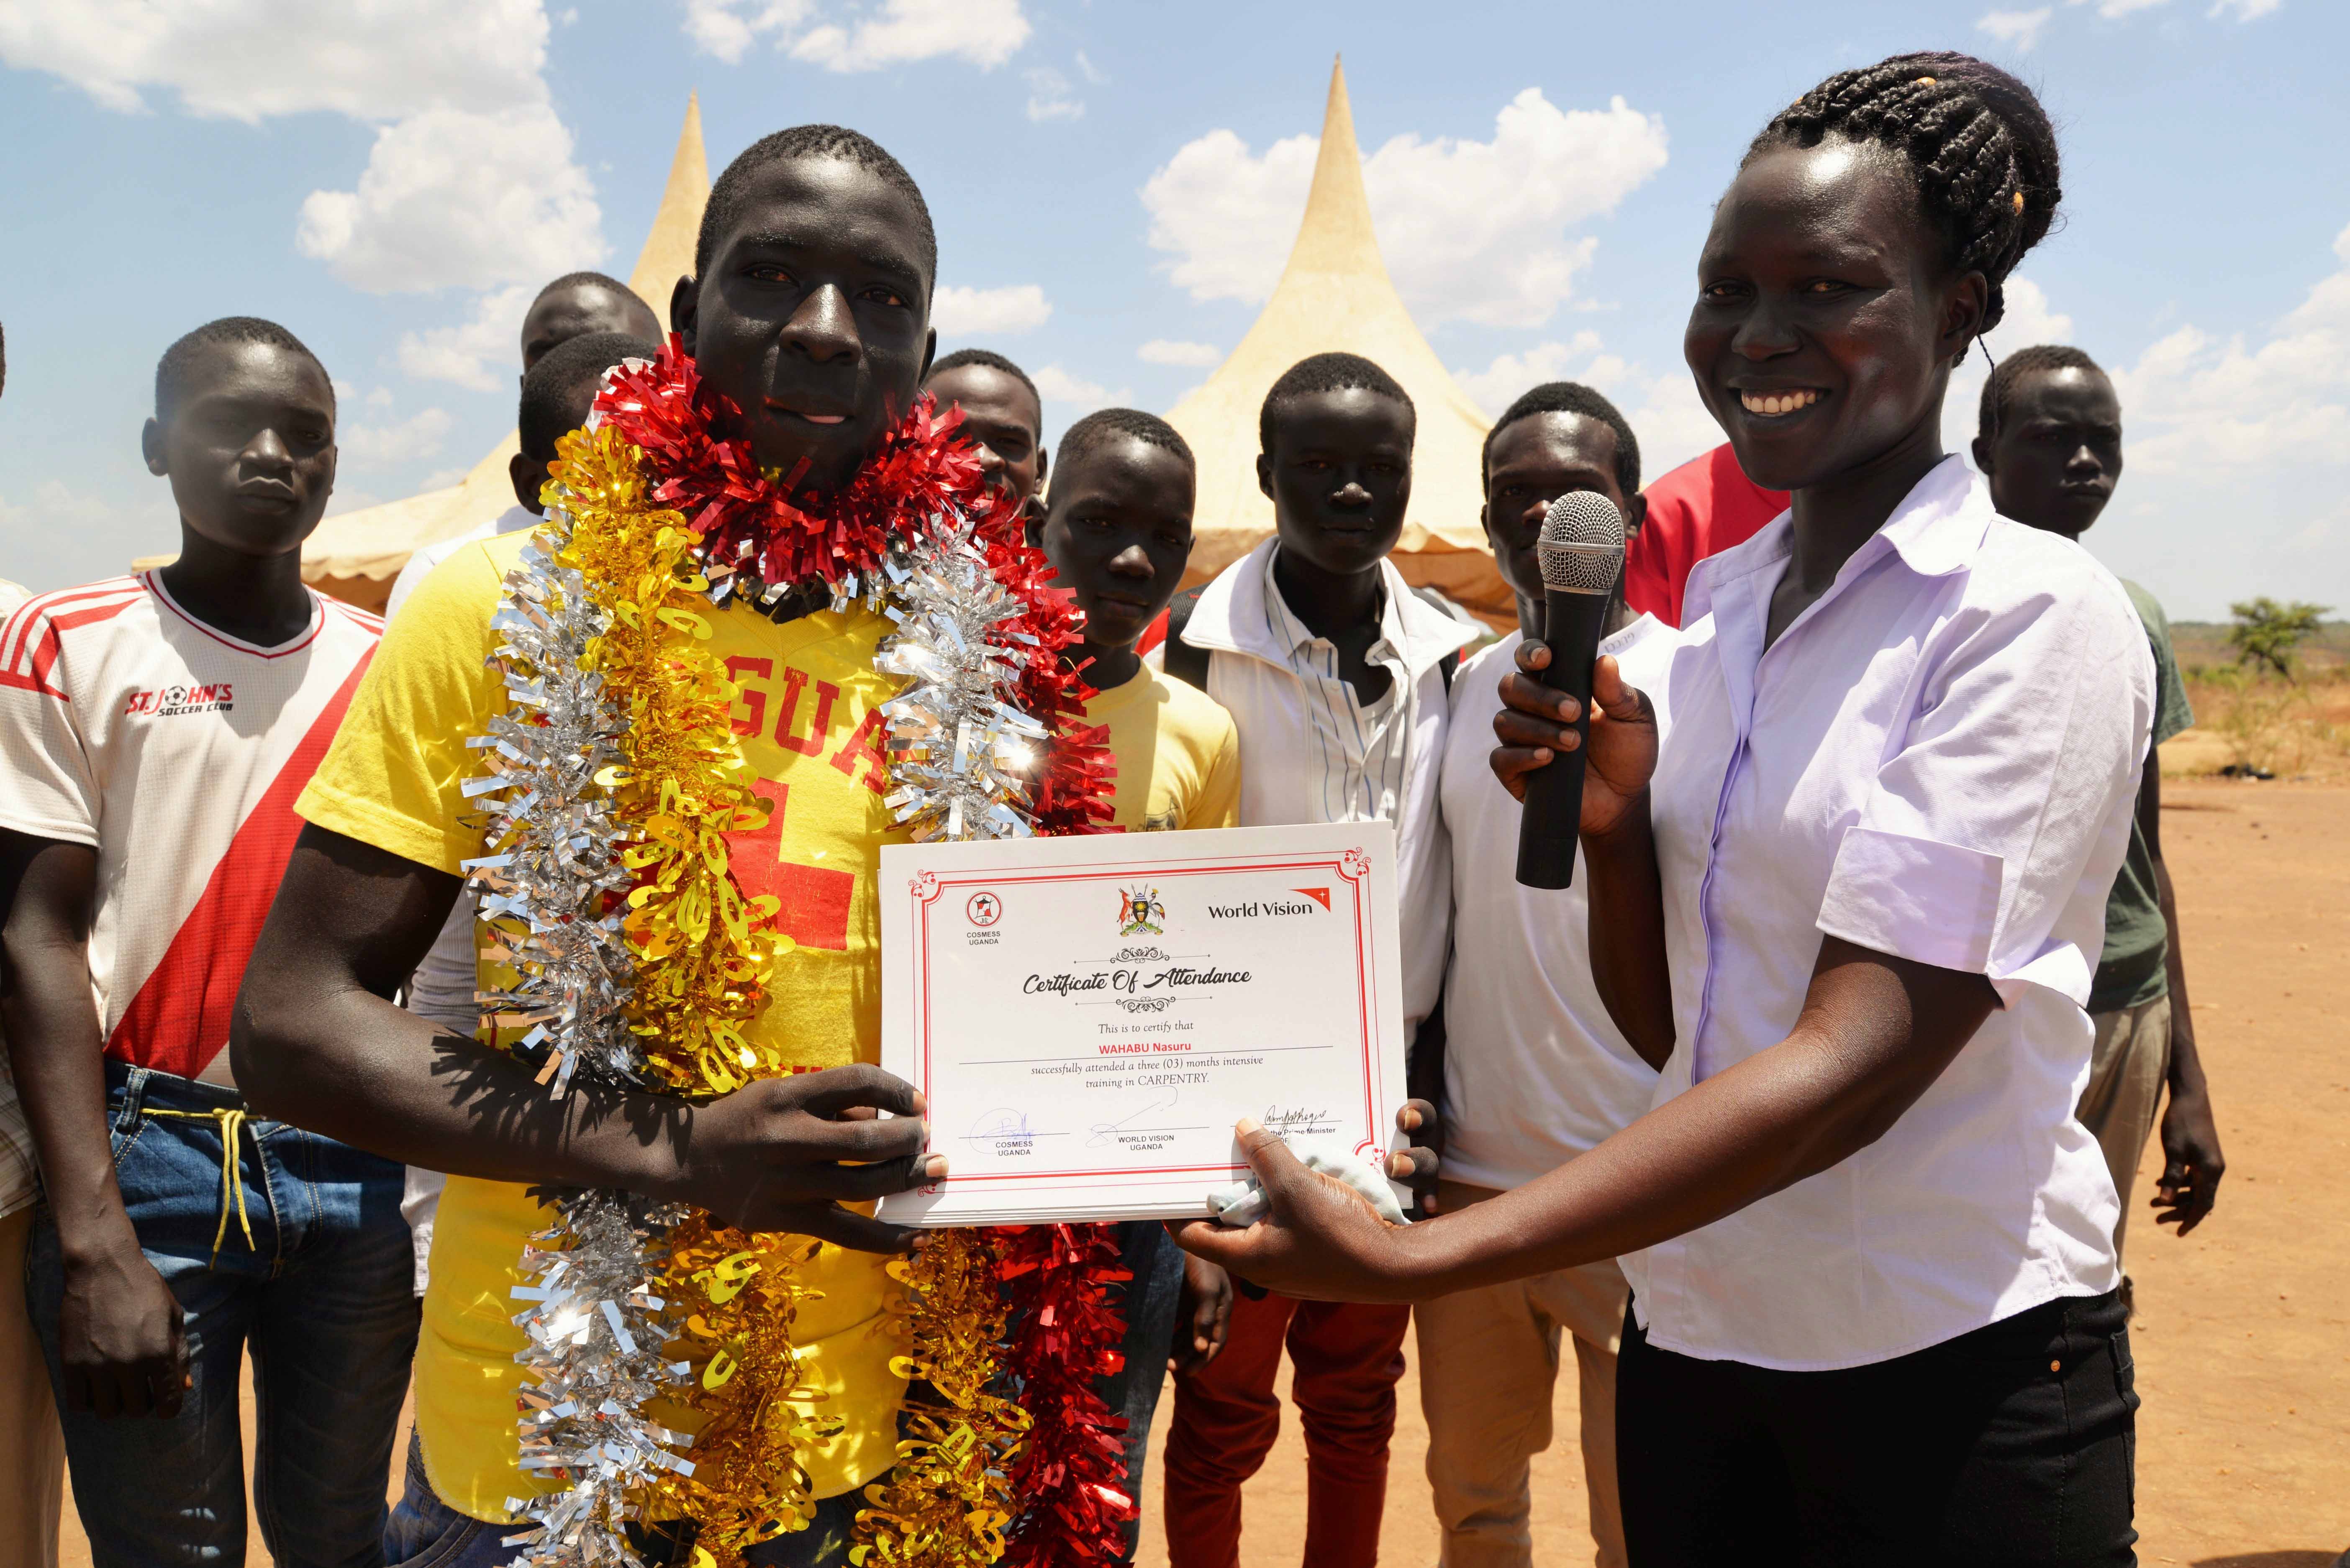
point(1999, 824)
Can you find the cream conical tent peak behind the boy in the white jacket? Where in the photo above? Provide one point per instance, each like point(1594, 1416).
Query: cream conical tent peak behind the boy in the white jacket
point(1336, 295)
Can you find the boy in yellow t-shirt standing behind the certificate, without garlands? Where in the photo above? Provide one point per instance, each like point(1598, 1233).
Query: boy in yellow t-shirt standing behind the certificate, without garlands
point(1117, 528)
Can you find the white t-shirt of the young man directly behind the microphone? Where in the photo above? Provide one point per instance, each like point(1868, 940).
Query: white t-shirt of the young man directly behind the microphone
point(1536, 1071)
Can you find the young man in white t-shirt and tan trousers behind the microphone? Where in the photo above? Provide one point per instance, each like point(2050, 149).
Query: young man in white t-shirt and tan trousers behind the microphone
point(1533, 1068)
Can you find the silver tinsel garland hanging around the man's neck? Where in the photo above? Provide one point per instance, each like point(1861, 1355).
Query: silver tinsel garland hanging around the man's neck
point(960, 765)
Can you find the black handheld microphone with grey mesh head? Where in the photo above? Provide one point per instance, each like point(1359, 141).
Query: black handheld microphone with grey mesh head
point(1583, 556)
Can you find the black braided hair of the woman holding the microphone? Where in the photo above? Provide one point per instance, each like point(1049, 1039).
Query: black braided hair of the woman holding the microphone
point(1980, 145)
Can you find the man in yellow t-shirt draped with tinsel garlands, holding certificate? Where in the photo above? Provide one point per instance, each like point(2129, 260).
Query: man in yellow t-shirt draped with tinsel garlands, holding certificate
point(810, 311)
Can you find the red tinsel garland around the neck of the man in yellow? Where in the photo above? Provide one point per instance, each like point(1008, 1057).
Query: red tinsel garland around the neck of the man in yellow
point(1066, 1332)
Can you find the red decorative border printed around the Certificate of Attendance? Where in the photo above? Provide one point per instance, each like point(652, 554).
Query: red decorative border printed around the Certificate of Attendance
point(1350, 866)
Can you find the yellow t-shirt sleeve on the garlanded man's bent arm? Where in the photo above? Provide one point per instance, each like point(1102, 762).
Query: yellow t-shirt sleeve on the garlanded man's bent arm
point(396, 770)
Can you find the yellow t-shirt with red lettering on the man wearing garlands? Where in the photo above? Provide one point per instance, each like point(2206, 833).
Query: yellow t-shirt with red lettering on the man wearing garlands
point(812, 725)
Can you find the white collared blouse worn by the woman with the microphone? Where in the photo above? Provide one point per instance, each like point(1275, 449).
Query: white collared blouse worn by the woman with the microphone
point(1938, 760)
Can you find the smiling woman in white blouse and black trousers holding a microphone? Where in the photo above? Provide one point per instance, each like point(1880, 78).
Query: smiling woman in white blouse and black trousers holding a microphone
point(1851, 906)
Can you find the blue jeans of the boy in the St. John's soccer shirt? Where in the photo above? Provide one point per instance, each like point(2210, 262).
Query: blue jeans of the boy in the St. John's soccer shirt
point(325, 1301)
